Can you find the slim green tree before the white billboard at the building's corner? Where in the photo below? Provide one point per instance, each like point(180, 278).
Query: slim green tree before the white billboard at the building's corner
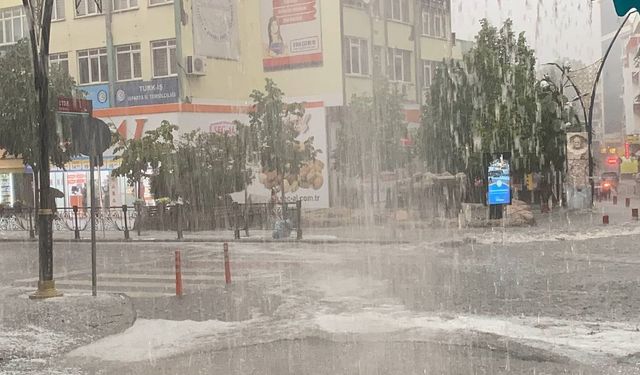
point(276, 146)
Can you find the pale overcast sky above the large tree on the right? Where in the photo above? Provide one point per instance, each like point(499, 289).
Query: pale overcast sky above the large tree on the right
point(557, 29)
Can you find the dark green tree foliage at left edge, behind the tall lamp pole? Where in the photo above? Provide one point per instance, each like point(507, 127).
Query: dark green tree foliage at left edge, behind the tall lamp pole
point(18, 107)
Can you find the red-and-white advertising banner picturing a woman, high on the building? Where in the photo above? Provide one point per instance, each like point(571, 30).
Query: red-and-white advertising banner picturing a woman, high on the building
point(291, 34)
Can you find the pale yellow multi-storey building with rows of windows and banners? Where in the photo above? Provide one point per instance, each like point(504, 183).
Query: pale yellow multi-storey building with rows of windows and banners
point(194, 63)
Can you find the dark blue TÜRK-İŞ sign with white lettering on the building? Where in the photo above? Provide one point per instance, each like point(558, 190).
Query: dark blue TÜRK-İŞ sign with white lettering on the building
point(157, 91)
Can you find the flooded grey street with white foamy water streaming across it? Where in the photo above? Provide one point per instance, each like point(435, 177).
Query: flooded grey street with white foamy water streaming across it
point(469, 306)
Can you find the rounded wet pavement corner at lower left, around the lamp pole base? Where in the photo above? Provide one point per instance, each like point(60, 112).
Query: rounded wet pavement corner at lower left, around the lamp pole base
point(37, 329)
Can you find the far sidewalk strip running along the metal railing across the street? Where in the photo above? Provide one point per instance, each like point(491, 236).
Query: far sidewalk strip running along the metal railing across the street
point(559, 219)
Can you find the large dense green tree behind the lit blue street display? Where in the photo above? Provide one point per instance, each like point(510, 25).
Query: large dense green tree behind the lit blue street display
point(491, 101)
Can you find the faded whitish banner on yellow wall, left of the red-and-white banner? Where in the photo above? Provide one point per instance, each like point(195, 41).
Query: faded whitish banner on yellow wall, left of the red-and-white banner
point(215, 29)
